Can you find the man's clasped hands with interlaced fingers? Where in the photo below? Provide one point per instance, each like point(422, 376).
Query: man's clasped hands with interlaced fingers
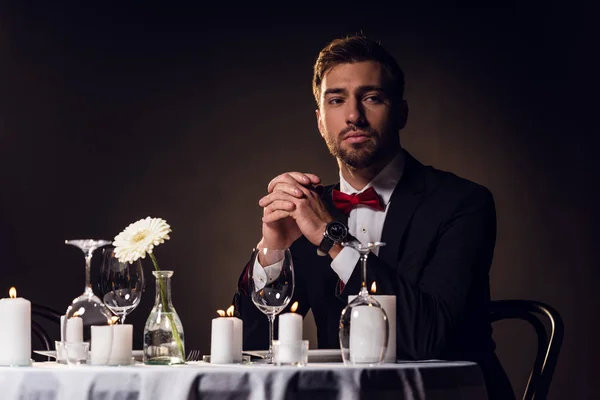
point(292, 208)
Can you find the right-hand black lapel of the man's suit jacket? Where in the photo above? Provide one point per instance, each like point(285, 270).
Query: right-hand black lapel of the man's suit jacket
point(407, 196)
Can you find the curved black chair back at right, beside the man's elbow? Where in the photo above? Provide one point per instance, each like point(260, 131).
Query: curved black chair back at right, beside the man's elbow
point(549, 340)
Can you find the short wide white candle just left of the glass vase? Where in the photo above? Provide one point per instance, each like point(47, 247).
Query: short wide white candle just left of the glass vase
point(111, 345)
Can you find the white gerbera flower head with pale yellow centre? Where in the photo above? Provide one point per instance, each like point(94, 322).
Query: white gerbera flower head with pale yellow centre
point(140, 238)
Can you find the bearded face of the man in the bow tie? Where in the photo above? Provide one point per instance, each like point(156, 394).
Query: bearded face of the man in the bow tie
point(357, 117)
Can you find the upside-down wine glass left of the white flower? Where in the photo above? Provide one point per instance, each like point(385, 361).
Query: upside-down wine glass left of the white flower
point(88, 308)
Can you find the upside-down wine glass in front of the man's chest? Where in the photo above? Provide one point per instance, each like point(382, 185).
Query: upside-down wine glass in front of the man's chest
point(364, 326)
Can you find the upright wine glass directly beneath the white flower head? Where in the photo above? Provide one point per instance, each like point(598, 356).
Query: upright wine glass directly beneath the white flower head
point(121, 284)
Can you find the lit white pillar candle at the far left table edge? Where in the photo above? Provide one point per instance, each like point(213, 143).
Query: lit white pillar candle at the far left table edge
point(15, 330)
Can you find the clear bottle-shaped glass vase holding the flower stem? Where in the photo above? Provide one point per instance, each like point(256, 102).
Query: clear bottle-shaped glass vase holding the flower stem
point(163, 333)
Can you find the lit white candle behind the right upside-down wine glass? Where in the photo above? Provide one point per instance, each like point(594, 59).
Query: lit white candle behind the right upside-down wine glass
point(367, 329)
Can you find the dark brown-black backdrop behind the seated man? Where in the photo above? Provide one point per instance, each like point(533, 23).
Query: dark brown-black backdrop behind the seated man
point(111, 114)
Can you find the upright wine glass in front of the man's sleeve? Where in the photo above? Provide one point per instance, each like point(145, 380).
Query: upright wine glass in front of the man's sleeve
point(271, 284)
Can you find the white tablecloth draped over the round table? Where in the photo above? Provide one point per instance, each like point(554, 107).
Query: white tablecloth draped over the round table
point(425, 380)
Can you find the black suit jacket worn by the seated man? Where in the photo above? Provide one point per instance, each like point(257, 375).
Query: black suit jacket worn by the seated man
point(440, 233)
